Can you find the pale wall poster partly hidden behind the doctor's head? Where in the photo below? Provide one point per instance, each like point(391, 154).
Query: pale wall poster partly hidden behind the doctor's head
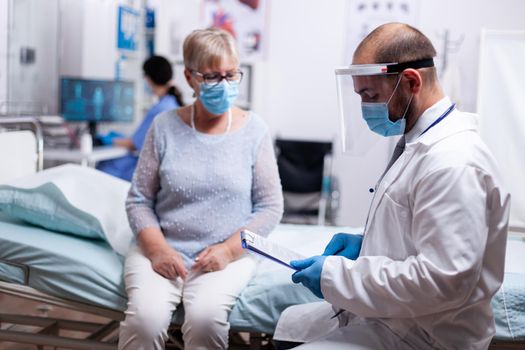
point(365, 15)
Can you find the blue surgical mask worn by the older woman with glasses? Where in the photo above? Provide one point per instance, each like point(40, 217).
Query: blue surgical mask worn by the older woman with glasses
point(218, 98)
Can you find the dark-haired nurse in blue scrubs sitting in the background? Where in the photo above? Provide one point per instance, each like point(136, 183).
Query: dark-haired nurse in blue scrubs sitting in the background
point(158, 75)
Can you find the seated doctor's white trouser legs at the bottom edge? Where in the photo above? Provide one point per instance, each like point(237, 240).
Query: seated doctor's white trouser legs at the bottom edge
point(314, 325)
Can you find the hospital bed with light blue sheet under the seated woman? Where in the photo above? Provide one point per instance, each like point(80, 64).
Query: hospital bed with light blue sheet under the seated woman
point(86, 275)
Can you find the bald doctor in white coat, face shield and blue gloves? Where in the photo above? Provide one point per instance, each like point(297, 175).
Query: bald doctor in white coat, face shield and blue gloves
point(433, 250)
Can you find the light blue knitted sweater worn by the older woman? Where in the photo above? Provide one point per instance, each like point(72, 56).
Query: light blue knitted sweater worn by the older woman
point(200, 188)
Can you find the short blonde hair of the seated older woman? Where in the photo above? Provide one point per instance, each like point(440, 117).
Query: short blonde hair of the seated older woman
point(208, 48)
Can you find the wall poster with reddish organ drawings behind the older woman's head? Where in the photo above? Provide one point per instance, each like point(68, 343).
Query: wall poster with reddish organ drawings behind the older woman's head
point(246, 20)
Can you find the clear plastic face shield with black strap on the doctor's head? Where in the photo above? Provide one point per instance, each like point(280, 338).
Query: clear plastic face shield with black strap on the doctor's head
point(368, 88)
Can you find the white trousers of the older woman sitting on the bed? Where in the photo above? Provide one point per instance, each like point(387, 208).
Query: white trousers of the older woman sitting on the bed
point(207, 298)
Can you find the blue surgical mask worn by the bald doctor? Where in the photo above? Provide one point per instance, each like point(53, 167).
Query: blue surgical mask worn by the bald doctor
point(376, 116)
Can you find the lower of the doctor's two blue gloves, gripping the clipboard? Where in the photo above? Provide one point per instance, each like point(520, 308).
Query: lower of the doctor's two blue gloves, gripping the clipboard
point(309, 273)
